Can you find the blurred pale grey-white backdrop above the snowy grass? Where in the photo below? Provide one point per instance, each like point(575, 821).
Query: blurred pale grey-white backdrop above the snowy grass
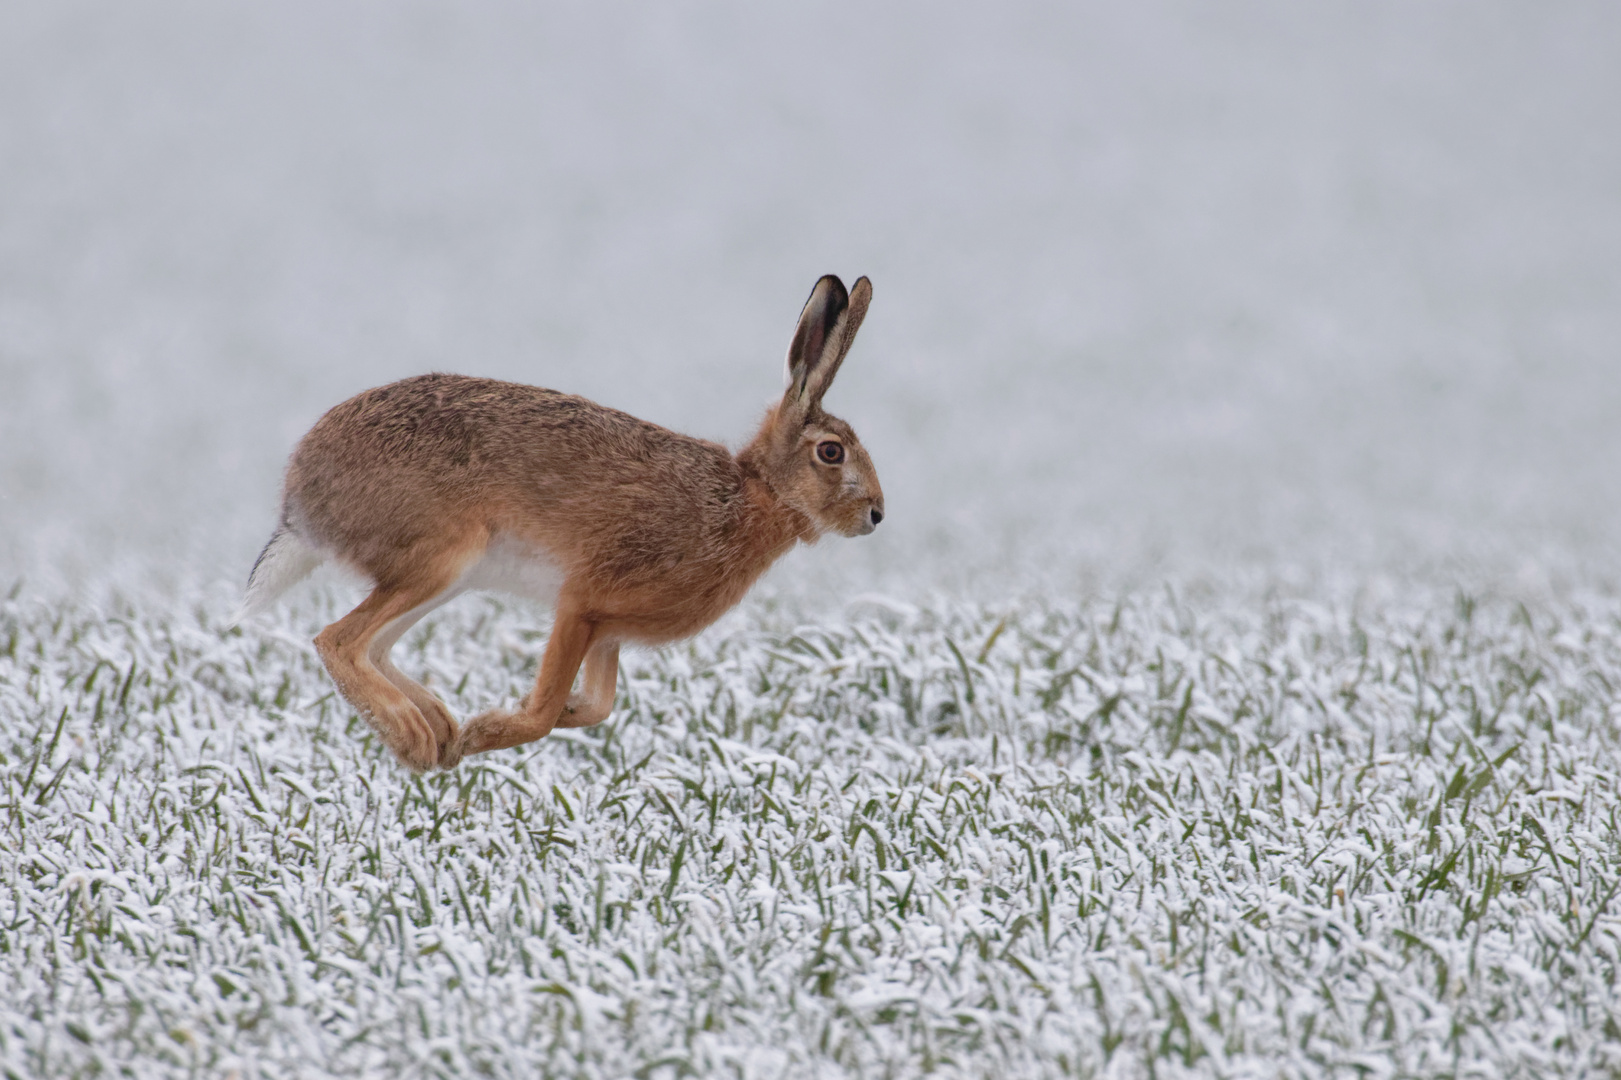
point(1158, 286)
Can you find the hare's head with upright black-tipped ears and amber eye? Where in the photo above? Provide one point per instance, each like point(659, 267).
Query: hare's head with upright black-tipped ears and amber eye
point(815, 461)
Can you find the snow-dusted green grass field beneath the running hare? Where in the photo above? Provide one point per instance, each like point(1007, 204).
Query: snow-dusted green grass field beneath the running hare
point(1231, 836)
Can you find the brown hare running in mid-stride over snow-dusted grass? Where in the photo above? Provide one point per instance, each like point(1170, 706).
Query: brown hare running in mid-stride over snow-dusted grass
point(442, 484)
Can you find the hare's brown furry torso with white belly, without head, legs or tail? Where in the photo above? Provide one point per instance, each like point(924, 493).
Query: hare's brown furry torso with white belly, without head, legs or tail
point(523, 489)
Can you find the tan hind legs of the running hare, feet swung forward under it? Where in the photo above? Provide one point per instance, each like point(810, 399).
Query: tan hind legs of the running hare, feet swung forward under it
point(349, 648)
